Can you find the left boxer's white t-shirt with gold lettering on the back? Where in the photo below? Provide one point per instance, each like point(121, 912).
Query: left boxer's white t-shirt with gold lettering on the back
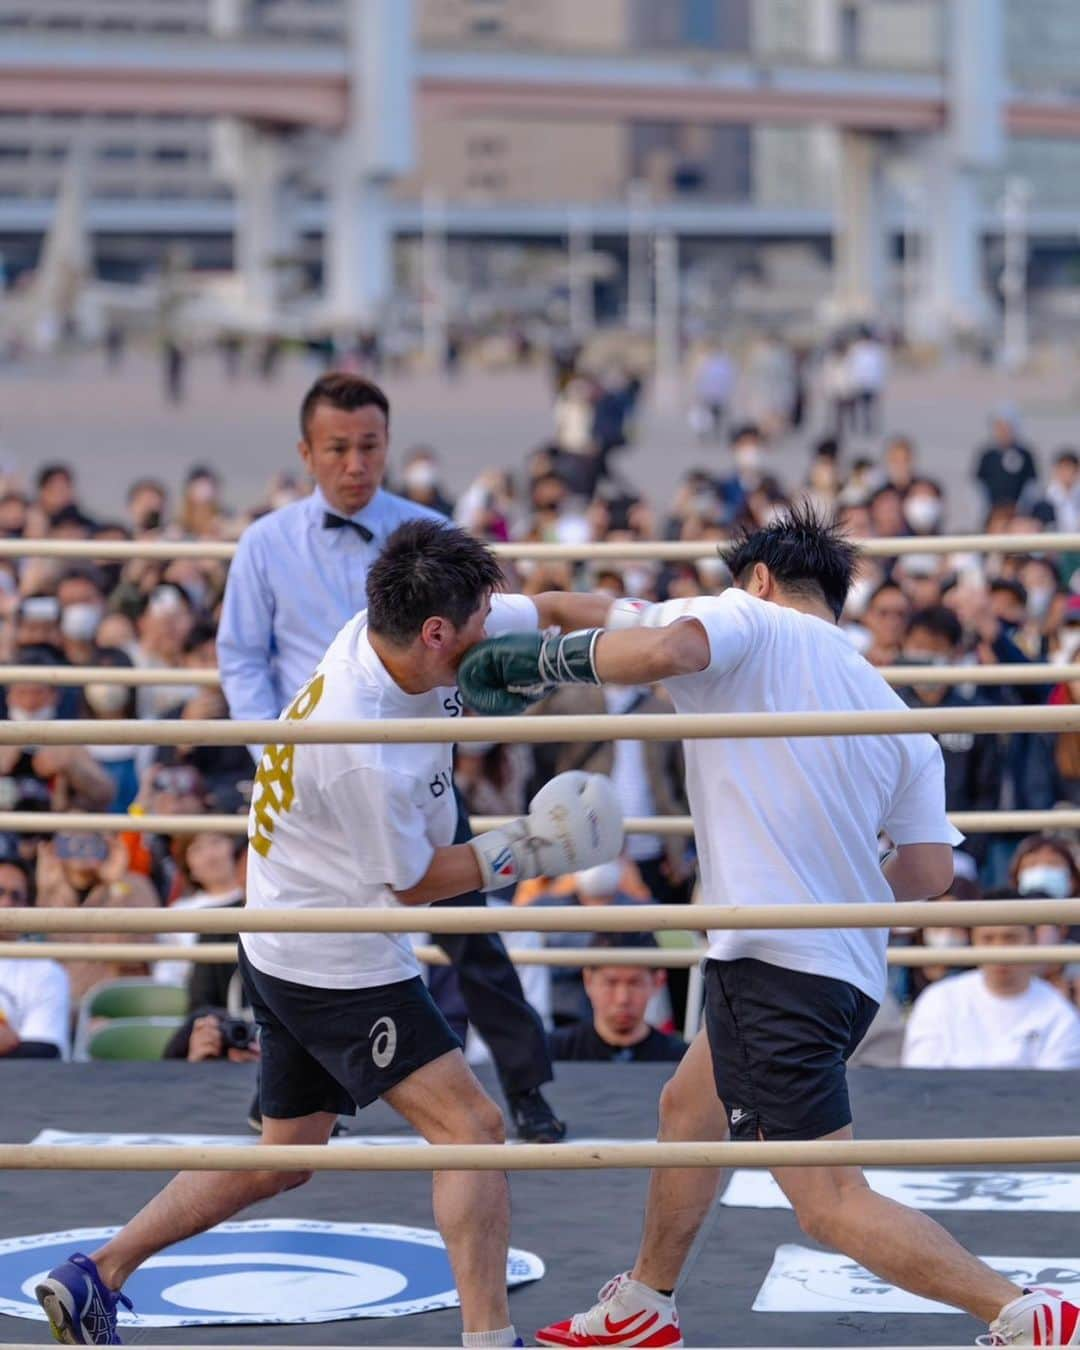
point(337, 827)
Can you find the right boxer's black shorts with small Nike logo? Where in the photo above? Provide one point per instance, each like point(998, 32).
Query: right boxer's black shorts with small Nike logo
point(781, 1042)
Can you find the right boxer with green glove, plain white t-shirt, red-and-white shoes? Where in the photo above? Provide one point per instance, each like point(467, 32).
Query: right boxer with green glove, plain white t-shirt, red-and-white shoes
point(777, 823)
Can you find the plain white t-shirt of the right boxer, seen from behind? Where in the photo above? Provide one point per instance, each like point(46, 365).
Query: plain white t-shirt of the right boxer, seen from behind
point(796, 821)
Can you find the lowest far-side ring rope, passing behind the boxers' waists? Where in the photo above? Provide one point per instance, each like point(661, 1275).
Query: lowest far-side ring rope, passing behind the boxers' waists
point(664, 959)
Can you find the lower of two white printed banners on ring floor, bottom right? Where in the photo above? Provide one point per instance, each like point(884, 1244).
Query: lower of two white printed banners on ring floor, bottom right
point(803, 1280)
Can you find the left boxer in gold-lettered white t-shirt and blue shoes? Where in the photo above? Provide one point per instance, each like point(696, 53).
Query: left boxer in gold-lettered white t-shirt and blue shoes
point(345, 1019)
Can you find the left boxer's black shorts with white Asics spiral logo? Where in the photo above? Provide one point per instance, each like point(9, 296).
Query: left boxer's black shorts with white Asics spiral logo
point(340, 1050)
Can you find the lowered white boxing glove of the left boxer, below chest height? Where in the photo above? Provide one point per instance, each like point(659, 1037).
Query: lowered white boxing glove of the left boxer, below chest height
point(574, 823)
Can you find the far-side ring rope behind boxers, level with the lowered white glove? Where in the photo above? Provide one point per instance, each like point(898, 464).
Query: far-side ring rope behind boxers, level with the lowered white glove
point(102, 823)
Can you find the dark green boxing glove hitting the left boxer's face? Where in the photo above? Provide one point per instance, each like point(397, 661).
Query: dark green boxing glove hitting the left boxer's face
point(502, 677)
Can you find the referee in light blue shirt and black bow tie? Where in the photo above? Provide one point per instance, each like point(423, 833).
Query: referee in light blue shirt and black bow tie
point(299, 577)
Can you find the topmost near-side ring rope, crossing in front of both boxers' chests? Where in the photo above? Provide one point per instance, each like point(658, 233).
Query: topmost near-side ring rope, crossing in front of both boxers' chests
point(634, 727)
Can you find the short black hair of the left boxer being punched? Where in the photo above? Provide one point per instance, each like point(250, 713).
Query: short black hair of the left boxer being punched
point(429, 569)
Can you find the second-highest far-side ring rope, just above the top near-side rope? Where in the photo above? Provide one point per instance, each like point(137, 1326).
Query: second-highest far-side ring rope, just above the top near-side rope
point(205, 678)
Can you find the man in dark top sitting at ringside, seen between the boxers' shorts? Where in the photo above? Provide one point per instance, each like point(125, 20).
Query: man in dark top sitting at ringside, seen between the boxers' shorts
point(619, 996)
